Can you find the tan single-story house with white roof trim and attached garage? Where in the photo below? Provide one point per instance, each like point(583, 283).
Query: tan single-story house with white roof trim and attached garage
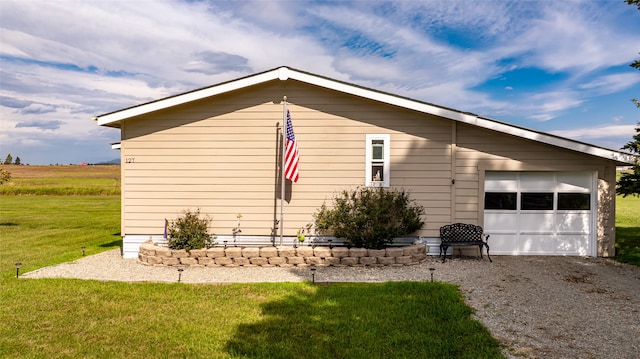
point(218, 149)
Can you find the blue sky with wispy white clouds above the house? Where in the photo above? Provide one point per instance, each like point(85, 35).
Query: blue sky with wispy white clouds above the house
point(558, 66)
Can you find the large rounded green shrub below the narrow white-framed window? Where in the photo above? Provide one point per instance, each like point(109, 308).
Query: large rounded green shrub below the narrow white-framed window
point(370, 217)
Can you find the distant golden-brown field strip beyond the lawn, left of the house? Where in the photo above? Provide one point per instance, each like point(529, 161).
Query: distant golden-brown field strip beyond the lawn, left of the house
point(62, 180)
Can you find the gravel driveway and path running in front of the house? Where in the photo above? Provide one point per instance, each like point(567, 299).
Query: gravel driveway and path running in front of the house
point(538, 307)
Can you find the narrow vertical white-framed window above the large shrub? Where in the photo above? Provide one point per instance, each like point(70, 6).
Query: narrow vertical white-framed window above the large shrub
point(377, 161)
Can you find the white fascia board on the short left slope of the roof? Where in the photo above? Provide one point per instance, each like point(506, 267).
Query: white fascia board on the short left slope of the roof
point(187, 97)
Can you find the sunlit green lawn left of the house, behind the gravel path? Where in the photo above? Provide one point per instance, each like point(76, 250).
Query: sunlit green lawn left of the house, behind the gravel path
point(45, 230)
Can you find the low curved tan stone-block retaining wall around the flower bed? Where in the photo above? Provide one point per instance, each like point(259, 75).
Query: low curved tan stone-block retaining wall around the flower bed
point(152, 254)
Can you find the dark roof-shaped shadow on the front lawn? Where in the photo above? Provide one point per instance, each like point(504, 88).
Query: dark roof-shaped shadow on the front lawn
point(360, 320)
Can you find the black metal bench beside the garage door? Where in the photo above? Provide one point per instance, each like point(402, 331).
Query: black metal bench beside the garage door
point(461, 234)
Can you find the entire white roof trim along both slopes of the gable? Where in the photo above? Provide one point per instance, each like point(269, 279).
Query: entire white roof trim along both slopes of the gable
point(285, 73)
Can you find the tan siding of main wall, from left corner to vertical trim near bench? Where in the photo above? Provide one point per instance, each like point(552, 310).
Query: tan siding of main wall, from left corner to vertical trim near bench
point(221, 155)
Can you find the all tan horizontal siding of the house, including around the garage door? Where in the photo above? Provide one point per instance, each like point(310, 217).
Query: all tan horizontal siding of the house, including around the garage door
point(221, 155)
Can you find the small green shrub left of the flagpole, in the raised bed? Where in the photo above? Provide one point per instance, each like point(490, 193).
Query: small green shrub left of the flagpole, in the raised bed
point(190, 231)
